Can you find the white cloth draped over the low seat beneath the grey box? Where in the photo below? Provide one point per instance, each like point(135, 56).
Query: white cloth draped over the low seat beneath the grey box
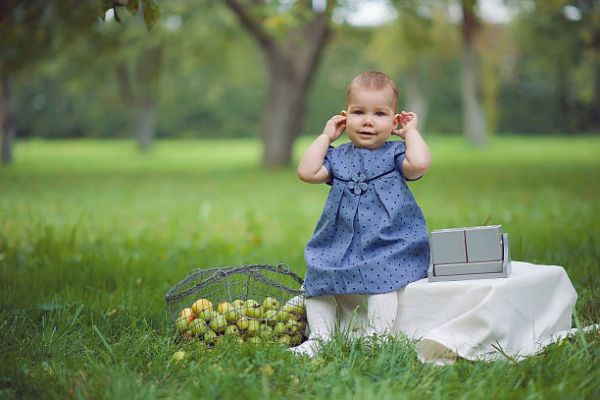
point(482, 319)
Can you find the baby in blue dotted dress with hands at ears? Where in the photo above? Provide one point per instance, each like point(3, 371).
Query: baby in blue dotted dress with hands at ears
point(372, 237)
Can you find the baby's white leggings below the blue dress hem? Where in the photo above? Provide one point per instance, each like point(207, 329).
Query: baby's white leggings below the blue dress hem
point(322, 316)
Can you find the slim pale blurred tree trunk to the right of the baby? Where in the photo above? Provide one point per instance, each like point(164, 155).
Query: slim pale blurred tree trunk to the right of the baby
point(473, 115)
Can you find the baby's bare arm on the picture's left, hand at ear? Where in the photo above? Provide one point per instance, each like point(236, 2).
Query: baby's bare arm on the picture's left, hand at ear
point(311, 168)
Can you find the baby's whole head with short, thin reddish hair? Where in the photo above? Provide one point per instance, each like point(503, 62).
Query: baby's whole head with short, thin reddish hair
point(371, 109)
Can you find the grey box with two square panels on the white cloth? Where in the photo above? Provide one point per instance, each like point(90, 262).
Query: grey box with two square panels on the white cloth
point(469, 253)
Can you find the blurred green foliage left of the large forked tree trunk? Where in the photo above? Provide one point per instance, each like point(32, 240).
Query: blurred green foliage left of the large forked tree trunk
point(67, 99)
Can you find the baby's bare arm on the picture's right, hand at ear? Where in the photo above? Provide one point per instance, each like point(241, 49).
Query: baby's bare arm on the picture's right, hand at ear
point(418, 158)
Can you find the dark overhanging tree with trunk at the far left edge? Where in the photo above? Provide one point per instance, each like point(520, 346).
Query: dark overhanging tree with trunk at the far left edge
point(35, 29)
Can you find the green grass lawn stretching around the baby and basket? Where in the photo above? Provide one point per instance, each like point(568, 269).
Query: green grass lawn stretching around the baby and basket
point(92, 235)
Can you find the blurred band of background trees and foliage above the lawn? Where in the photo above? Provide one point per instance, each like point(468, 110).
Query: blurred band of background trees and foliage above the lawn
point(204, 70)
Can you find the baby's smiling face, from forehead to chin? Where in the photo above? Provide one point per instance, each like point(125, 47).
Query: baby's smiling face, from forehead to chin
point(371, 117)
